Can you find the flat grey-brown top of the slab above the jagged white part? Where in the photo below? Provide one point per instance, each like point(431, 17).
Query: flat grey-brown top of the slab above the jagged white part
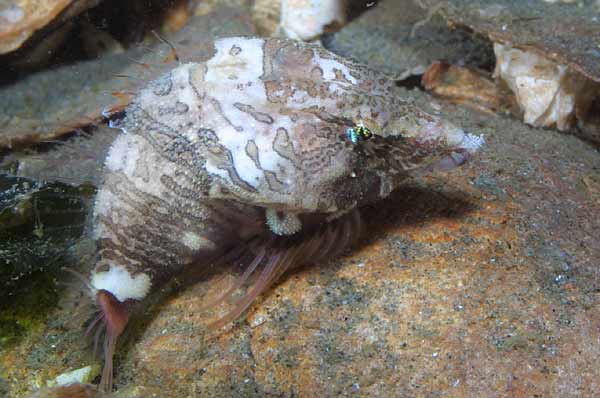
point(566, 33)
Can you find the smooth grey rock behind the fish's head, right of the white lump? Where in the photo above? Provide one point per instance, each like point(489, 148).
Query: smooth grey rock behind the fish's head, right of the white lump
point(387, 38)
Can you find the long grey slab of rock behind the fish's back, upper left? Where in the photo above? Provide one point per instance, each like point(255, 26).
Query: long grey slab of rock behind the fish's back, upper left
point(50, 103)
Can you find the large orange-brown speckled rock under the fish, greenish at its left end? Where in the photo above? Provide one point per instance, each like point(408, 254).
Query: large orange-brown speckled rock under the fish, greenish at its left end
point(481, 282)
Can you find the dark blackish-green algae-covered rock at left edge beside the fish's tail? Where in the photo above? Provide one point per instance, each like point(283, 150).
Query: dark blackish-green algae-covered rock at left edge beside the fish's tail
point(38, 223)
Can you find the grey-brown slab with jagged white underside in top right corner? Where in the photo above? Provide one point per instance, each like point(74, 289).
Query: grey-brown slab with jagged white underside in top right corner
point(546, 54)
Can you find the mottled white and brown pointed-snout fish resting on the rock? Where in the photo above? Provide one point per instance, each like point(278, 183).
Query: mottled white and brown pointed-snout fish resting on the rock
point(269, 148)
